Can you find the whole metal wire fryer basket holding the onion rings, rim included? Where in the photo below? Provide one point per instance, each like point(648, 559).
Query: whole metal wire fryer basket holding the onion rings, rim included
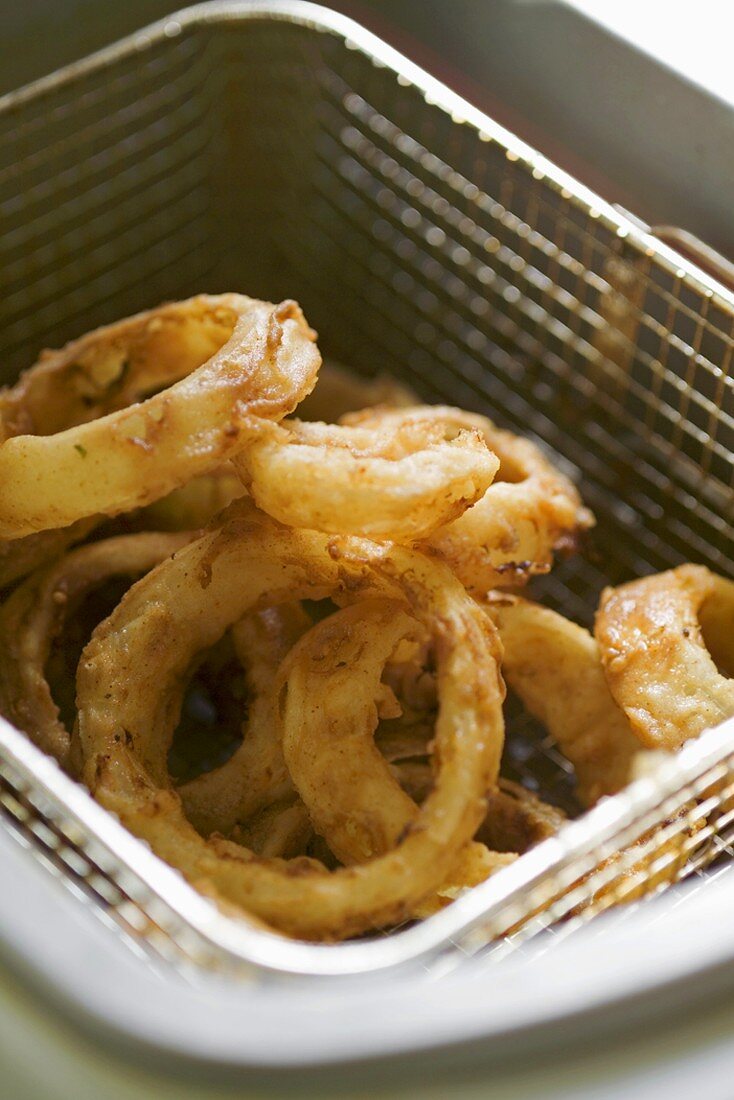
point(279, 149)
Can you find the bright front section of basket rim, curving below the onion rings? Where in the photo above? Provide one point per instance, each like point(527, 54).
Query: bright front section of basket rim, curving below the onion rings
point(184, 908)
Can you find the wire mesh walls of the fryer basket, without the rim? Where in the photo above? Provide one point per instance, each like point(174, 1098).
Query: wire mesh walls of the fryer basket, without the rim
point(275, 157)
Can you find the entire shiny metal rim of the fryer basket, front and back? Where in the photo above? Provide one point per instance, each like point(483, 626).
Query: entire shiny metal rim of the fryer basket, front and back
point(269, 951)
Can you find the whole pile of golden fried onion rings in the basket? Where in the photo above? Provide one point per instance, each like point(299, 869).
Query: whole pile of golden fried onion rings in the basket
point(267, 614)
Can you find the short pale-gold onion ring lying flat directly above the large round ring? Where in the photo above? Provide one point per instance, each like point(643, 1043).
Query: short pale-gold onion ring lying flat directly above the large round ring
point(399, 481)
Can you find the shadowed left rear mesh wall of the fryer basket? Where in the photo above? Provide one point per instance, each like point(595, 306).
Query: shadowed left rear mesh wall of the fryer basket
point(105, 197)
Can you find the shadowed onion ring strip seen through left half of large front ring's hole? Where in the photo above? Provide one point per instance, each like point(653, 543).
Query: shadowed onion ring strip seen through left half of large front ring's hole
point(256, 776)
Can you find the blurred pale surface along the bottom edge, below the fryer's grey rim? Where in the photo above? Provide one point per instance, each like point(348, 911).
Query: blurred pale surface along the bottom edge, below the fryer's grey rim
point(41, 1060)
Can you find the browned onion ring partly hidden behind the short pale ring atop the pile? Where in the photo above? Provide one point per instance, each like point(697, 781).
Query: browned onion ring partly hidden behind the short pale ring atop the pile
point(531, 511)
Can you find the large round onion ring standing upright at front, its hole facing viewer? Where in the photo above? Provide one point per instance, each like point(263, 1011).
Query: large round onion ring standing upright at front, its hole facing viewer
point(183, 608)
